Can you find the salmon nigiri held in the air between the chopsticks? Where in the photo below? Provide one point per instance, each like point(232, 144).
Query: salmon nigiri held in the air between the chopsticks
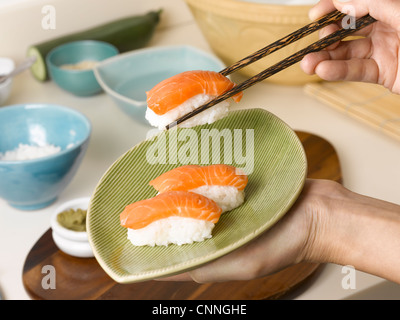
point(176, 96)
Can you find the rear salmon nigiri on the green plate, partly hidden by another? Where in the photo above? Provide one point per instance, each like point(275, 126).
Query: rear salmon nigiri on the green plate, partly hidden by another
point(221, 183)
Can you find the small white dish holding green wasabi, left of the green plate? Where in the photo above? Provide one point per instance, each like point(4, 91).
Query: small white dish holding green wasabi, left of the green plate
point(74, 243)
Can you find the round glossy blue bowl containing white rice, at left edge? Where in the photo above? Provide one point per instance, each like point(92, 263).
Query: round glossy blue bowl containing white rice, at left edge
point(36, 183)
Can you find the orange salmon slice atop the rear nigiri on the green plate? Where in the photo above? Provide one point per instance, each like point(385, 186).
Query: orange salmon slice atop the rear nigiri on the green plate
point(190, 177)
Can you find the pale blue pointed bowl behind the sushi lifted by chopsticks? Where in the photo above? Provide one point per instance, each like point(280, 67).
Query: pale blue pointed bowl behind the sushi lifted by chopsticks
point(127, 77)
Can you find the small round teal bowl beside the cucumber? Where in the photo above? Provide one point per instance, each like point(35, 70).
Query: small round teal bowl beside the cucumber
point(80, 82)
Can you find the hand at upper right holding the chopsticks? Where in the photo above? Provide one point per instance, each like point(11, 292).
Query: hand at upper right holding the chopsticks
point(374, 58)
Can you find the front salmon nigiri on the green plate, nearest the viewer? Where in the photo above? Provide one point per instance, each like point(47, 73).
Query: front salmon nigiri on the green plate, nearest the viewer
point(173, 217)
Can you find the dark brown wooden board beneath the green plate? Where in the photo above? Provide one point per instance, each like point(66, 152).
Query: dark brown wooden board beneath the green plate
point(82, 278)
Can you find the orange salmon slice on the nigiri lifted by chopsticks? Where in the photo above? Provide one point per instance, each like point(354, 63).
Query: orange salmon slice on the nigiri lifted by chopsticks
point(172, 92)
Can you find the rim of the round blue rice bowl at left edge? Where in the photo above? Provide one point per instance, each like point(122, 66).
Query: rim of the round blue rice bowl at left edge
point(61, 152)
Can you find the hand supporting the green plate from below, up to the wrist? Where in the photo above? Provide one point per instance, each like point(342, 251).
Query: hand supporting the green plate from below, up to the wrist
point(283, 245)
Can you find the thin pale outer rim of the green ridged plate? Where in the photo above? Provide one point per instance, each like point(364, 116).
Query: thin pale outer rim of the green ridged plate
point(201, 260)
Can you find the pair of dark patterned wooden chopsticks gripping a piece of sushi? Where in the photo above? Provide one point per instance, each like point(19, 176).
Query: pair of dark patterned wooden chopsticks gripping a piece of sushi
point(294, 58)
